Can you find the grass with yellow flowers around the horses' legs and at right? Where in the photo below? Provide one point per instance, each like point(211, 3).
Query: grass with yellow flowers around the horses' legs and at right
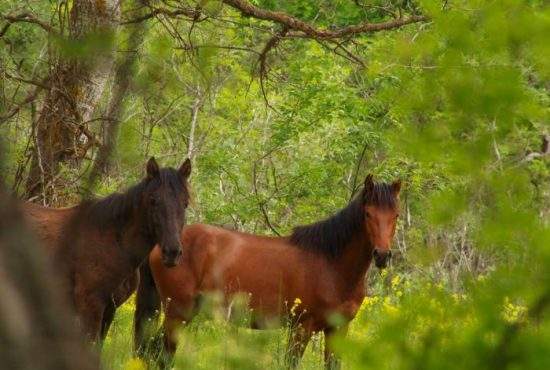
point(395, 324)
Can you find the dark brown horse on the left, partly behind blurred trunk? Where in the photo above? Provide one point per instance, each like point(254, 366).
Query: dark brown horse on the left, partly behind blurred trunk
point(98, 245)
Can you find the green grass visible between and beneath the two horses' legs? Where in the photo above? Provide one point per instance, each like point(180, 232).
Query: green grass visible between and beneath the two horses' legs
point(209, 343)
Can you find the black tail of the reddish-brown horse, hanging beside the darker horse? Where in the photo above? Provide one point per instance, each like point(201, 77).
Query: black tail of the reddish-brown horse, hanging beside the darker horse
point(147, 335)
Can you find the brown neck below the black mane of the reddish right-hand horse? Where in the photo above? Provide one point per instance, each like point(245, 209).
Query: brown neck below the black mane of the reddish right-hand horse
point(355, 260)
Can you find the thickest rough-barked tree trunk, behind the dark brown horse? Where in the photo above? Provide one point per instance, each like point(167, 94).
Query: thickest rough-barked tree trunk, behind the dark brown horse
point(76, 84)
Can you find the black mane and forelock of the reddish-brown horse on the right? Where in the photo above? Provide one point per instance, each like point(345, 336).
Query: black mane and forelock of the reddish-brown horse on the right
point(332, 235)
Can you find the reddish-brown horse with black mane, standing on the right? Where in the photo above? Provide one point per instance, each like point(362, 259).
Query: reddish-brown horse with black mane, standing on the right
point(321, 266)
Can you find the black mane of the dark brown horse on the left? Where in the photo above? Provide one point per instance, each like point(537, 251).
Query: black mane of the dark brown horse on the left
point(116, 209)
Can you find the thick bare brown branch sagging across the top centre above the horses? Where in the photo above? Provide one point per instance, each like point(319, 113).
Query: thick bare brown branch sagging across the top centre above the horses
point(305, 29)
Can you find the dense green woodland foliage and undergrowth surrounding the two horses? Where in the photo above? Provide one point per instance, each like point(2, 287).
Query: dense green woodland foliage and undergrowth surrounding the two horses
point(282, 127)
